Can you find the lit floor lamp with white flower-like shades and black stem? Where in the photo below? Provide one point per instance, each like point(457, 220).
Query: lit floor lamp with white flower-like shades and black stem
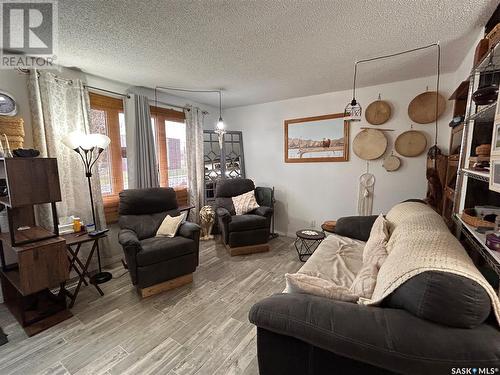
point(90, 147)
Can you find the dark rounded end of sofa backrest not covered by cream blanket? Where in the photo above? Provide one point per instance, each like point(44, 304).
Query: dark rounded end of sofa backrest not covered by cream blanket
point(443, 298)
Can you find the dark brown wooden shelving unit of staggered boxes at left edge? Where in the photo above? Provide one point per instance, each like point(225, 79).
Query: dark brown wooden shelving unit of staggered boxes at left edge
point(41, 262)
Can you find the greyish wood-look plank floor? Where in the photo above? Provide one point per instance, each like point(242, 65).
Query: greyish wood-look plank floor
point(201, 328)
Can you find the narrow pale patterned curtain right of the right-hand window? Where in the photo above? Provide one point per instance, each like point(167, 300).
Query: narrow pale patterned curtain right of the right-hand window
point(195, 159)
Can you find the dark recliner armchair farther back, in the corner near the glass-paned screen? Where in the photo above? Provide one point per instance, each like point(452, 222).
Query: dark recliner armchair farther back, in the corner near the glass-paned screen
point(243, 234)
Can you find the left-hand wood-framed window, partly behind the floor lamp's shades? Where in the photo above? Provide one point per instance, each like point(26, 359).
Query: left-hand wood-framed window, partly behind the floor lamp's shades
point(107, 117)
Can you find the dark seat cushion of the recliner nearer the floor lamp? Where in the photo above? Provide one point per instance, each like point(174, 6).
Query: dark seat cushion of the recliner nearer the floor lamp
point(159, 249)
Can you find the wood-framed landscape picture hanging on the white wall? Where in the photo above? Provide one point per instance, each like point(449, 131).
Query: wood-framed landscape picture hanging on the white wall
point(317, 139)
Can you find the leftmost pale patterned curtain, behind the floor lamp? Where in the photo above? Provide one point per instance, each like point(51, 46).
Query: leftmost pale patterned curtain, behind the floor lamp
point(58, 107)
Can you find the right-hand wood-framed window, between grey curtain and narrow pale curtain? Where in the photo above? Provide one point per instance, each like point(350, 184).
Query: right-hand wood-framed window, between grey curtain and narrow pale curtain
point(169, 129)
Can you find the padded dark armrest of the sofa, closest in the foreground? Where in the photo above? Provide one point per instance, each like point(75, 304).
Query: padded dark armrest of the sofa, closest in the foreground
point(376, 335)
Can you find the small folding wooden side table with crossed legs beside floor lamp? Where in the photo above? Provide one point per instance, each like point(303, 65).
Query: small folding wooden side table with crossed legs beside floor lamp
point(74, 242)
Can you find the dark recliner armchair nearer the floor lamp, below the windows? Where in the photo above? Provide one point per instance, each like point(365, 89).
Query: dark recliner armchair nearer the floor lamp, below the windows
point(159, 262)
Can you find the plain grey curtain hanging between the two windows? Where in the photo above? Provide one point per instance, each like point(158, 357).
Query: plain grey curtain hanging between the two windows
point(142, 163)
